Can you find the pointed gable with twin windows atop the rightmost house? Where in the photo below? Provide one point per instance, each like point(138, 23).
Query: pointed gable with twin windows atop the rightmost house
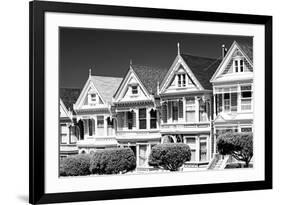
point(237, 64)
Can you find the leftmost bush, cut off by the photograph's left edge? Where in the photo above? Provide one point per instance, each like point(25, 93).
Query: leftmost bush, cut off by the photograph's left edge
point(75, 165)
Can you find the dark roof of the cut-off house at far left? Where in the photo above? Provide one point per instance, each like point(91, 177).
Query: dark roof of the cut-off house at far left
point(69, 96)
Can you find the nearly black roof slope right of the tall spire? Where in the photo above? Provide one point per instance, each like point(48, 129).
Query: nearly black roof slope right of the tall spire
point(203, 68)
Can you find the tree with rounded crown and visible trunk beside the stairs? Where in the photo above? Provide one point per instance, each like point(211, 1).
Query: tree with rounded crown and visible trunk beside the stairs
point(238, 145)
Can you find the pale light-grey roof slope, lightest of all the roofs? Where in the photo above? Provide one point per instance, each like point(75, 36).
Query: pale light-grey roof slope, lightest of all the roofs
point(106, 86)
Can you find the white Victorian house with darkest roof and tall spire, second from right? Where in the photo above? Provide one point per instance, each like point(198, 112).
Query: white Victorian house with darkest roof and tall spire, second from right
point(186, 105)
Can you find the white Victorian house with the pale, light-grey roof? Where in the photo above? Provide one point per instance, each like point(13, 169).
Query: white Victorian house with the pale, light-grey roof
point(94, 114)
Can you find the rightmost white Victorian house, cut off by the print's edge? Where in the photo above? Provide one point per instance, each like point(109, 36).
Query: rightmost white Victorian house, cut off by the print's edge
point(233, 91)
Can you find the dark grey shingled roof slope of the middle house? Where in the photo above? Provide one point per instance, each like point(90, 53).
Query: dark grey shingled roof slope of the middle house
point(150, 76)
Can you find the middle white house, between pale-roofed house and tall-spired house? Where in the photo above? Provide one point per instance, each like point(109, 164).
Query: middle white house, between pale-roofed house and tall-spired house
point(136, 105)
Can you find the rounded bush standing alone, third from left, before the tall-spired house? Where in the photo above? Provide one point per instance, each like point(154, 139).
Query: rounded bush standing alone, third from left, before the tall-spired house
point(169, 156)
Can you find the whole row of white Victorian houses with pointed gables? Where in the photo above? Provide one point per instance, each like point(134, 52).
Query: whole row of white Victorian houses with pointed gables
point(192, 102)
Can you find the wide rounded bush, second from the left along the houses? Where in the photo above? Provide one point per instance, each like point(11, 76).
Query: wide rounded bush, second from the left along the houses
point(112, 161)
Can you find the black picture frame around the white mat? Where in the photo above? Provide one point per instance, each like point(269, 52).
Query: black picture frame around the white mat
point(37, 10)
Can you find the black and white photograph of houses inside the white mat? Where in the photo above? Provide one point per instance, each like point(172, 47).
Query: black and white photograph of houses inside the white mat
point(140, 102)
